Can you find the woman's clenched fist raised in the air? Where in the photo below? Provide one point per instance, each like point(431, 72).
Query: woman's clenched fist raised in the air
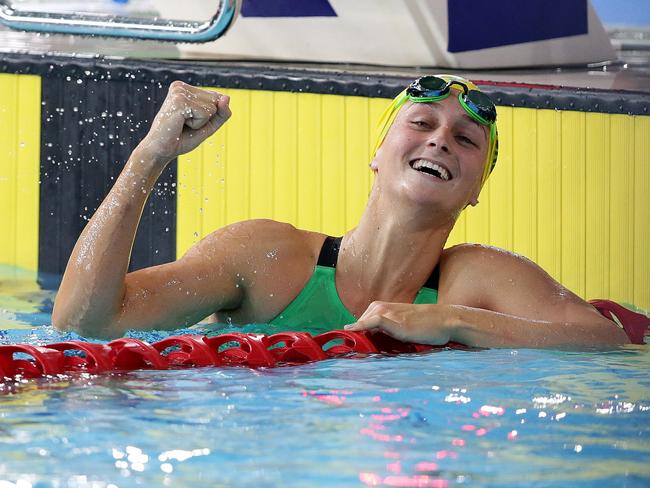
point(188, 116)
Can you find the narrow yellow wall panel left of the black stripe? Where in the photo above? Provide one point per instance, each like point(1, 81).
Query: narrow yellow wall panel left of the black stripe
point(20, 122)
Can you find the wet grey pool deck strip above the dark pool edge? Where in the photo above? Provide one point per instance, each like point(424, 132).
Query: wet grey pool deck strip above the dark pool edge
point(630, 72)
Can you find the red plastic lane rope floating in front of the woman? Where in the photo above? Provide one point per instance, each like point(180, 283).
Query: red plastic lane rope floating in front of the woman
point(233, 349)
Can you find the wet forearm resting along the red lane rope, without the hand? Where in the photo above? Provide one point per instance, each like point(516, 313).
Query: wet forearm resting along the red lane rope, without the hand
point(485, 328)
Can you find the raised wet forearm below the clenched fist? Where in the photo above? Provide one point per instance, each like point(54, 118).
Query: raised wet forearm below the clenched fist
point(93, 285)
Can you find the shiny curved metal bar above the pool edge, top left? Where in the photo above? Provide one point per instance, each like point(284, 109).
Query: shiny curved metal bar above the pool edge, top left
point(119, 26)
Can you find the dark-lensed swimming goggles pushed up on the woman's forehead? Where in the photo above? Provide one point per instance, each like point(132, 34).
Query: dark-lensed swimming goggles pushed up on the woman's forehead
point(433, 89)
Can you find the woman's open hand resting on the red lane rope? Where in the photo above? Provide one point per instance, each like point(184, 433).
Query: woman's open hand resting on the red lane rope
point(425, 324)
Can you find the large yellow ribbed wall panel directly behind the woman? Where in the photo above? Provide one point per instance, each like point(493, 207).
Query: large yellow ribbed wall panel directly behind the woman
point(570, 190)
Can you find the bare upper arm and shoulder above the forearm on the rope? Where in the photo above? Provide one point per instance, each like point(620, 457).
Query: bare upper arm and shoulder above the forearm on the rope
point(497, 280)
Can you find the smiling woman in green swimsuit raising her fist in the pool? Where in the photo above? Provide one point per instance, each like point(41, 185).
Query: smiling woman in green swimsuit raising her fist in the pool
point(391, 272)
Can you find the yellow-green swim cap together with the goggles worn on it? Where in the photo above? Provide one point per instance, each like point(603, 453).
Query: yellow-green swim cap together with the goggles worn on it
point(430, 89)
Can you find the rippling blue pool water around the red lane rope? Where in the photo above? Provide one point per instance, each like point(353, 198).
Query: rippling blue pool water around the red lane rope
point(446, 418)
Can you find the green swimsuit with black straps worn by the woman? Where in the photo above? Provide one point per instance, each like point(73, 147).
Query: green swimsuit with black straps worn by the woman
point(318, 307)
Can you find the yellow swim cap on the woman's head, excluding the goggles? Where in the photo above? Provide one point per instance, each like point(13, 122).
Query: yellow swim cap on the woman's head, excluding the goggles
point(388, 117)
